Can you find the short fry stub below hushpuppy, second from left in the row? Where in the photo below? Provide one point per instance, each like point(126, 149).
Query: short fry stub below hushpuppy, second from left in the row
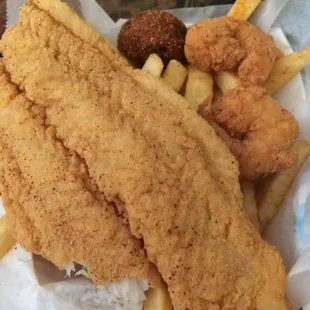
point(175, 75)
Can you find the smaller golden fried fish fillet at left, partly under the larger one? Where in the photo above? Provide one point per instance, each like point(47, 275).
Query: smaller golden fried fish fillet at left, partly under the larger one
point(53, 207)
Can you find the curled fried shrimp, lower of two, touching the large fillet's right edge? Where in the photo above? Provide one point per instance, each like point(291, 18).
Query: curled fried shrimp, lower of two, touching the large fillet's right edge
point(263, 129)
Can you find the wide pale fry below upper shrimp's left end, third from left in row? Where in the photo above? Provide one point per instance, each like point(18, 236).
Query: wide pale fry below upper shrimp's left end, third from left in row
point(199, 87)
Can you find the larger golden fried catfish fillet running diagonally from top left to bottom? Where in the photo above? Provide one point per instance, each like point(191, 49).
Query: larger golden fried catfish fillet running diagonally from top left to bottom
point(142, 145)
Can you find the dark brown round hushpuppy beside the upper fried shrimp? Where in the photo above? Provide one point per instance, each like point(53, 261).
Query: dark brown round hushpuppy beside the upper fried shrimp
point(152, 32)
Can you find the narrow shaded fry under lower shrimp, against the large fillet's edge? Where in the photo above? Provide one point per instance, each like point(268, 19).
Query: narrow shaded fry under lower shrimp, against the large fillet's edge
point(249, 202)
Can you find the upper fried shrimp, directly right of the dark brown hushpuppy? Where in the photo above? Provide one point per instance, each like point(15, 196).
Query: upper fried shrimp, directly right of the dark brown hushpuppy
point(227, 43)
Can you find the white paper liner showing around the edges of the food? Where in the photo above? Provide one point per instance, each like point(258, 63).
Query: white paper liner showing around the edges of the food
point(30, 283)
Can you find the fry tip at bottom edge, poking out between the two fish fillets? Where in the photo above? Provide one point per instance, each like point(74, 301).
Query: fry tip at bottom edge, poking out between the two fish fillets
point(158, 299)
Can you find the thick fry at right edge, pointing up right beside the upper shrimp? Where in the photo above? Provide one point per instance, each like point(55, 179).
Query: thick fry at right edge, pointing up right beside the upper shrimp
point(286, 68)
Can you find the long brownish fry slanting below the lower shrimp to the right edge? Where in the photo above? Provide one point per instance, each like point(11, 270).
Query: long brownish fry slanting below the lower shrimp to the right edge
point(272, 191)
